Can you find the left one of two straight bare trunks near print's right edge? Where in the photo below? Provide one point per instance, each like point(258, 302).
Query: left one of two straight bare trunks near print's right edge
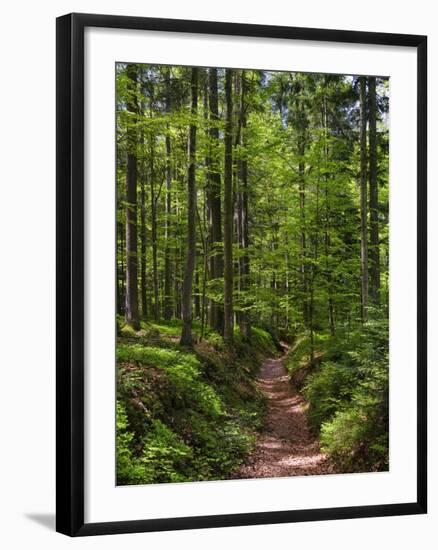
point(363, 200)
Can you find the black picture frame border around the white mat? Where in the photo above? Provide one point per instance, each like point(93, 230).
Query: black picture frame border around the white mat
point(70, 273)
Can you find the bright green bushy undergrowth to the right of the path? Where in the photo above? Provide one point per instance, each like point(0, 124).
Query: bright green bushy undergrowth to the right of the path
point(348, 398)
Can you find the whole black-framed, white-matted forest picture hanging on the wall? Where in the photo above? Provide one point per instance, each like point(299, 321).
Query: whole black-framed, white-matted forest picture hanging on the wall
point(241, 274)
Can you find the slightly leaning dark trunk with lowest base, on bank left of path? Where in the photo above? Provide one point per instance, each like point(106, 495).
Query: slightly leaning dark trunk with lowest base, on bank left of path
point(186, 336)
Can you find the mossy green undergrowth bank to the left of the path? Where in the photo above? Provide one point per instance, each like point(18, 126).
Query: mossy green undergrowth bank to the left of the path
point(185, 416)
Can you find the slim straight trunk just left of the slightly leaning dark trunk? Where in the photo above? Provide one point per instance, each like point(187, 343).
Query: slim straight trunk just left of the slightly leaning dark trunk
point(168, 204)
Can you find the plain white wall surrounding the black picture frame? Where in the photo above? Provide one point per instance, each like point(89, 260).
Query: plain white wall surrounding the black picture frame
point(27, 321)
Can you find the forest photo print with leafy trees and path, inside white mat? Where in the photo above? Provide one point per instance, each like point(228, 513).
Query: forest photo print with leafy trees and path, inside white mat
point(252, 273)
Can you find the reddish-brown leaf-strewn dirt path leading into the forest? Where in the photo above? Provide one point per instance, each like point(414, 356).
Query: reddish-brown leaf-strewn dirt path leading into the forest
point(285, 447)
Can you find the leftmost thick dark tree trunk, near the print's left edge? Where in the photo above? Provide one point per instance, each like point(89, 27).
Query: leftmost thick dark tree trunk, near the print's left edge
point(131, 308)
